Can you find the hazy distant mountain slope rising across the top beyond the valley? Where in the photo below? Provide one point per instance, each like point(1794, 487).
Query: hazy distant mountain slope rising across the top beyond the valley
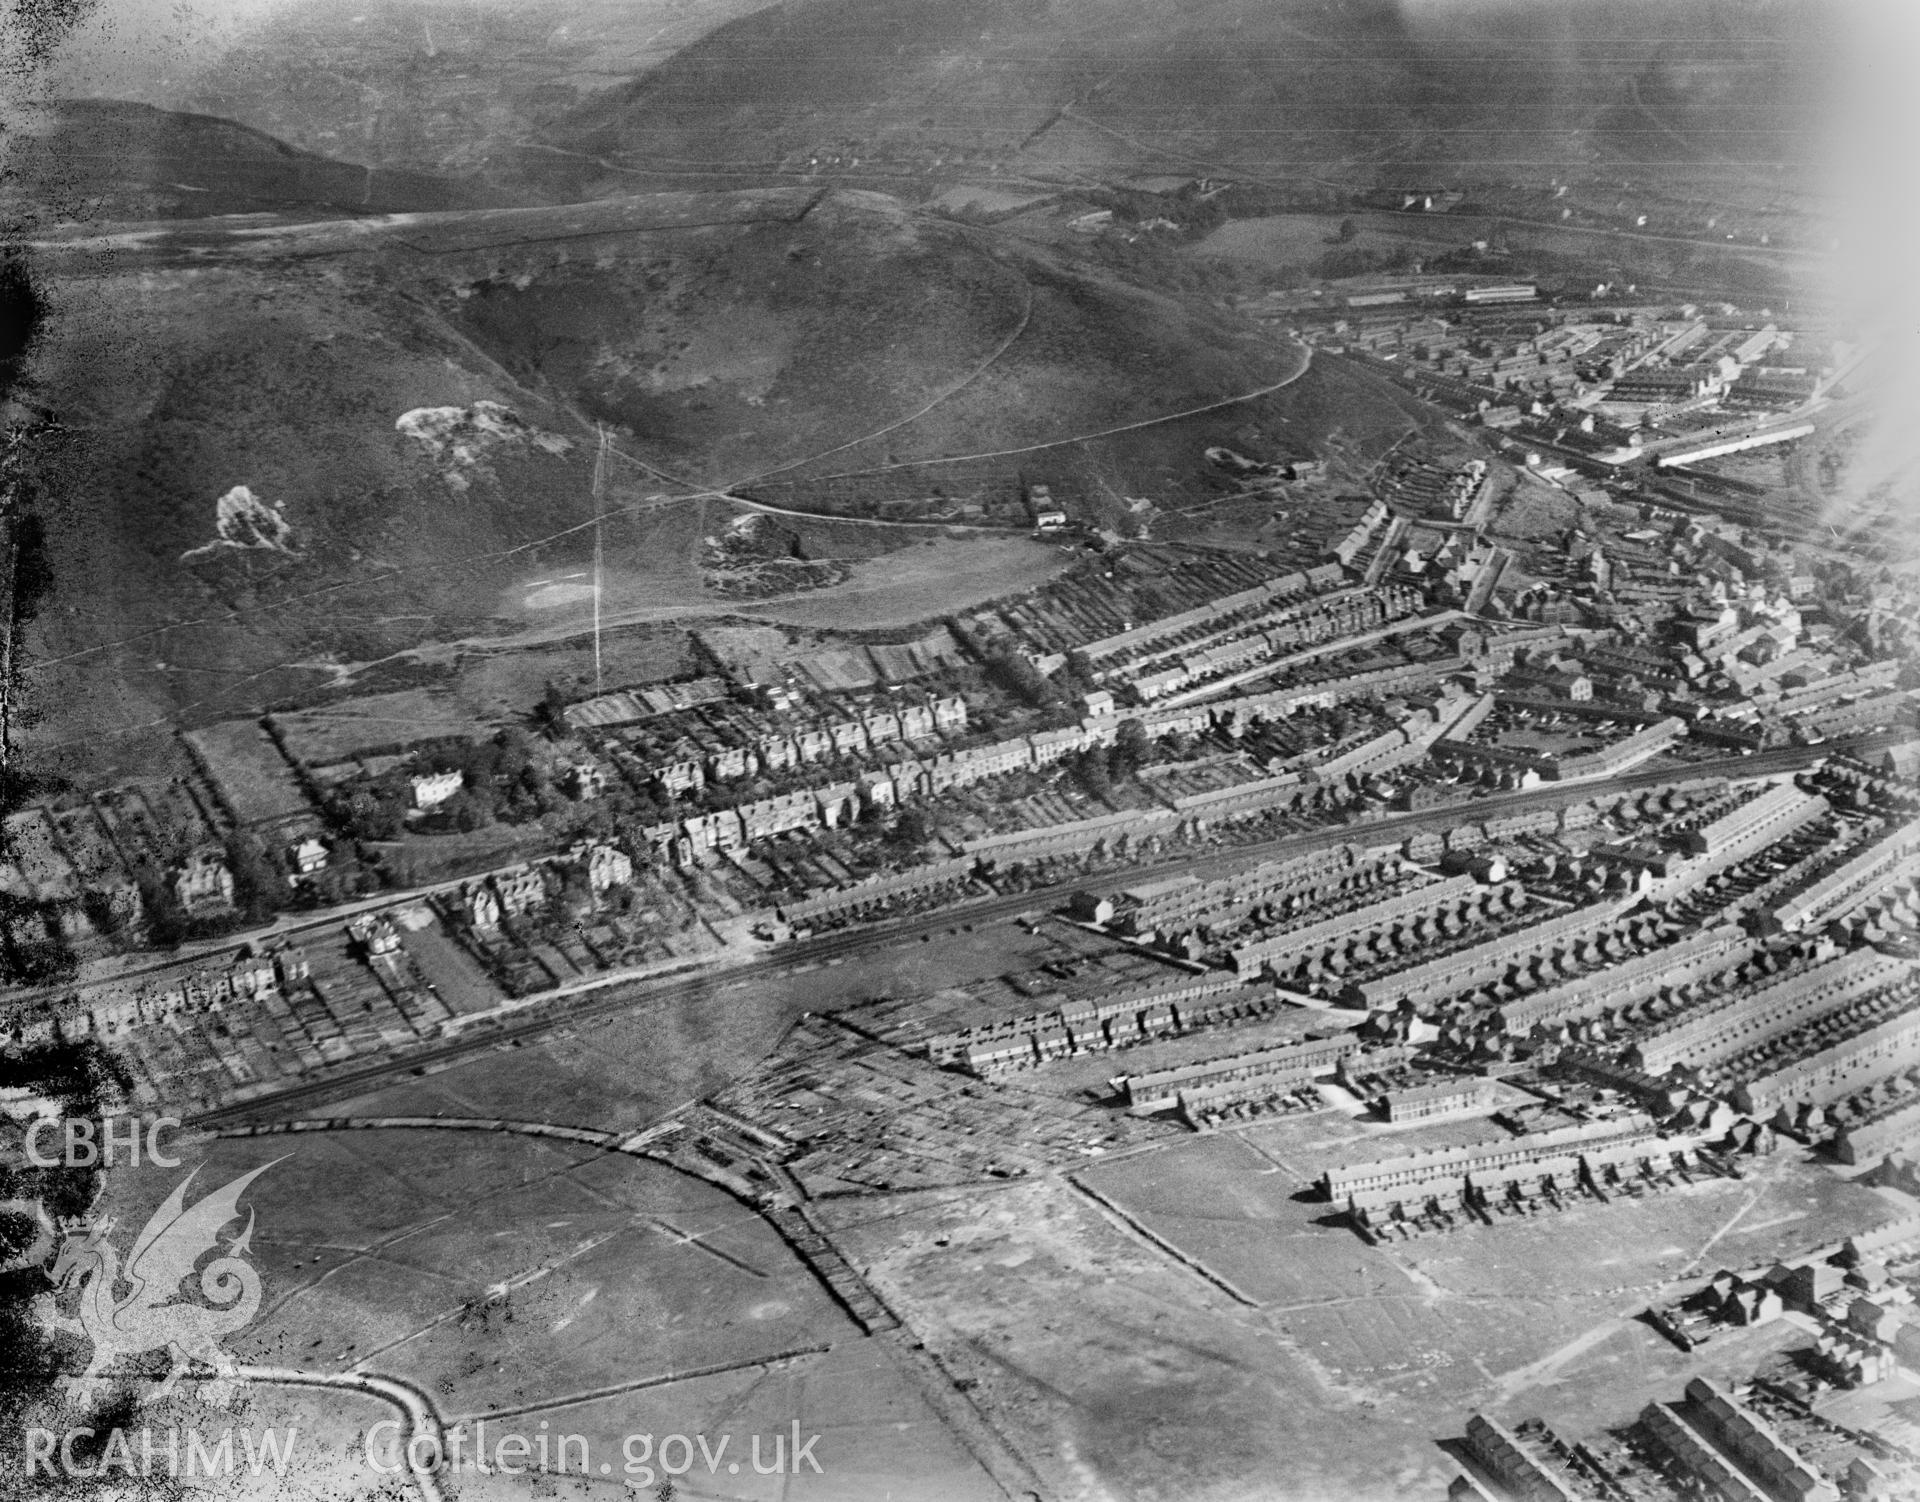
point(1360, 91)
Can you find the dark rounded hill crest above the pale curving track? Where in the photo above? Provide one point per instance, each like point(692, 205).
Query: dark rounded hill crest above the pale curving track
point(756, 349)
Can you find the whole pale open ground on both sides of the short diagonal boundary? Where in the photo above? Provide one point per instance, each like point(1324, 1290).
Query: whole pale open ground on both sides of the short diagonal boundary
point(1353, 1361)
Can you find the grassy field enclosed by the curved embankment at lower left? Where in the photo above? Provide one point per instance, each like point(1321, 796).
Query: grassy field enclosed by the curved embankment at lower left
point(540, 1282)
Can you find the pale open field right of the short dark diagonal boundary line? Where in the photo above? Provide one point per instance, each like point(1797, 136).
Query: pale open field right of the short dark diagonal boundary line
point(1403, 1319)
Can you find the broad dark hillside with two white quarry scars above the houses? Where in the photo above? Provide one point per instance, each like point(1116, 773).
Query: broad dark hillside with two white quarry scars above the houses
point(276, 462)
